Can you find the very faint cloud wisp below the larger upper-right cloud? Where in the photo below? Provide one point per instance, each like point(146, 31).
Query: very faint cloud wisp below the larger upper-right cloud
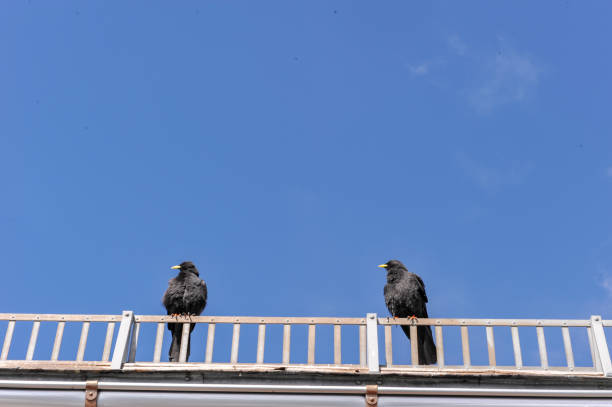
point(493, 178)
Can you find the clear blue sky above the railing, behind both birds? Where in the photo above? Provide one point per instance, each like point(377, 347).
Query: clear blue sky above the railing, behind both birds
point(287, 148)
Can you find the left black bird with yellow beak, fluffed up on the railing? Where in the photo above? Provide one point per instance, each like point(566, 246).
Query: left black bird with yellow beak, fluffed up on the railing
point(186, 295)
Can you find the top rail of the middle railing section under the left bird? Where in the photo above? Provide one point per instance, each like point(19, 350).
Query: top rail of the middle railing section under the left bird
point(252, 320)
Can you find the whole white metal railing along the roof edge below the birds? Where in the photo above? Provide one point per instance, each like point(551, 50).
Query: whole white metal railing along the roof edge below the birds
point(126, 342)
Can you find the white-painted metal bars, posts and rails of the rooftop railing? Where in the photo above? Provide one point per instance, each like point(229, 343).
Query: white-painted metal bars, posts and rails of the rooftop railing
point(368, 341)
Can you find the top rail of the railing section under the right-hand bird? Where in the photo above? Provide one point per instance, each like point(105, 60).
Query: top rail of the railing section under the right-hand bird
point(487, 322)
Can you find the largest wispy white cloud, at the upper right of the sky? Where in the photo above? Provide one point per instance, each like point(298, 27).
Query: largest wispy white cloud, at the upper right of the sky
point(510, 77)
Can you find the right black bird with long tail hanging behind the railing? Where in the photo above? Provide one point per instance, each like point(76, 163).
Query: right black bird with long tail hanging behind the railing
point(405, 297)
